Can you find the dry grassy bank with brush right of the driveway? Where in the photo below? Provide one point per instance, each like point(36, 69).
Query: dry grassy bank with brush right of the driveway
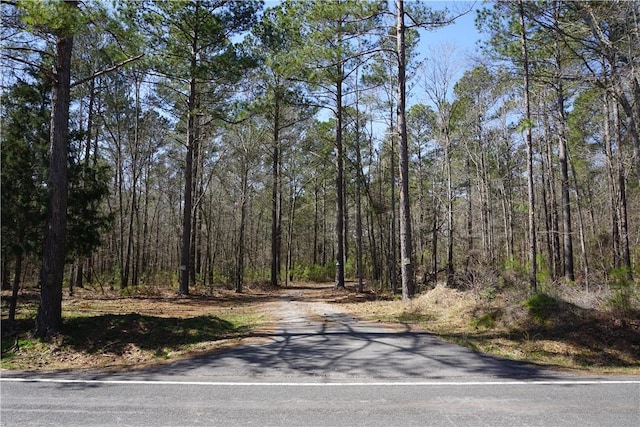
point(541, 328)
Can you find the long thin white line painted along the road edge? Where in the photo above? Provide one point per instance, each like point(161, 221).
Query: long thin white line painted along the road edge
point(327, 384)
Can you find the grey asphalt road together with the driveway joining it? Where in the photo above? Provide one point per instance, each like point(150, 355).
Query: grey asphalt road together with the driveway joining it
point(322, 368)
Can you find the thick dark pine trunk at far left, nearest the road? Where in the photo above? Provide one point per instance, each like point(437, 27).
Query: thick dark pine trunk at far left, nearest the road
point(49, 318)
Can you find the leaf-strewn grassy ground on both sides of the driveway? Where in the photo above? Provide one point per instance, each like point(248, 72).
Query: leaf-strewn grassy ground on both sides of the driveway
point(107, 331)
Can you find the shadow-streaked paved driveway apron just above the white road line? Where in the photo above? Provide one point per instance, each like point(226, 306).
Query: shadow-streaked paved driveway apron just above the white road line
point(343, 351)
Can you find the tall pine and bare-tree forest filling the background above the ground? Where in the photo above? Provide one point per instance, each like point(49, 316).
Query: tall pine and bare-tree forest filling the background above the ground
point(205, 144)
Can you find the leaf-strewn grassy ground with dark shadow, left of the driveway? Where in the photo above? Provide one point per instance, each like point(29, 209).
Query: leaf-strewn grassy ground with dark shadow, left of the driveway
point(112, 332)
